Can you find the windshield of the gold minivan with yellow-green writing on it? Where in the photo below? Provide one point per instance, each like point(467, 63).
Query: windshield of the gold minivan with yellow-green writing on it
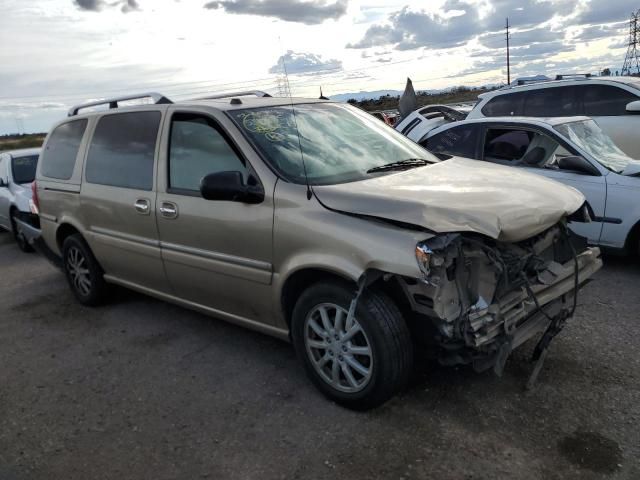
point(339, 143)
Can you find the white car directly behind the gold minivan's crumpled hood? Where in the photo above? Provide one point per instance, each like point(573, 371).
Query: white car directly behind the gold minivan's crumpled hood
point(573, 151)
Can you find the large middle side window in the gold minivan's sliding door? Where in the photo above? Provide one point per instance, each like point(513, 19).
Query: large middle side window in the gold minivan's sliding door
point(122, 150)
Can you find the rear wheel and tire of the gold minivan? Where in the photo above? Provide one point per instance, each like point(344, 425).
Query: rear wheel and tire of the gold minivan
point(83, 272)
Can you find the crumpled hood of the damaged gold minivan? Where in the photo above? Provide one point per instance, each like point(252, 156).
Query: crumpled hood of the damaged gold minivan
point(460, 195)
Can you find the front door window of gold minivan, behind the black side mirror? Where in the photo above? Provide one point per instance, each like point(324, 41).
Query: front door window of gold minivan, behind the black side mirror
point(197, 149)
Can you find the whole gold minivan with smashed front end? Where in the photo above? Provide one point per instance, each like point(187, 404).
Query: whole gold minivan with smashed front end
point(313, 222)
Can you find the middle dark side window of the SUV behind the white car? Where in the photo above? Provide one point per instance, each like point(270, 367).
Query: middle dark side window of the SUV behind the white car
point(552, 102)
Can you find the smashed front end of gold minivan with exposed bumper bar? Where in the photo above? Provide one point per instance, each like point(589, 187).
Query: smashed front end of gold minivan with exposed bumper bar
point(484, 328)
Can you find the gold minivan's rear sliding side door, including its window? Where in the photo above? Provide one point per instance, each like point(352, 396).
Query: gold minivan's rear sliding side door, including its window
point(118, 198)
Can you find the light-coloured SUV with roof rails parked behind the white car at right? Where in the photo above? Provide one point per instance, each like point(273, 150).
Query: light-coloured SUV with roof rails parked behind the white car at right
point(613, 102)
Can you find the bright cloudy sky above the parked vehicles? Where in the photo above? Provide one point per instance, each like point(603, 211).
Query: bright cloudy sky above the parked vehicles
point(57, 53)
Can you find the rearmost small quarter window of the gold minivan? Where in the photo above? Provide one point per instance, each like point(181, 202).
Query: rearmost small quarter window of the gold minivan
point(59, 156)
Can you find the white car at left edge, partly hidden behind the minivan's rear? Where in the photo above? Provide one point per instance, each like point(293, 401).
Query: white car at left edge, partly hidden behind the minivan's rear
point(17, 172)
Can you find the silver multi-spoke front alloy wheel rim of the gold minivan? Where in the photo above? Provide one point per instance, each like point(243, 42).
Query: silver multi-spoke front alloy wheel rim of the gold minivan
point(338, 348)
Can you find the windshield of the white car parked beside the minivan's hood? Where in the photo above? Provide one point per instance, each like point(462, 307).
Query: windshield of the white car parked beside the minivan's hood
point(588, 135)
